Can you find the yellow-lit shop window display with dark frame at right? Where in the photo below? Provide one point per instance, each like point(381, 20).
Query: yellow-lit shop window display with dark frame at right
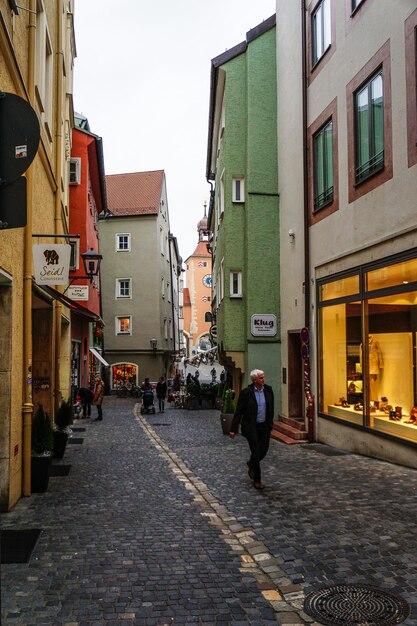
point(367, 348)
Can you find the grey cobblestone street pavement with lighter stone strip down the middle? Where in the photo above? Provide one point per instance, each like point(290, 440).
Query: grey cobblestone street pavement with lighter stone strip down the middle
point(157, 523)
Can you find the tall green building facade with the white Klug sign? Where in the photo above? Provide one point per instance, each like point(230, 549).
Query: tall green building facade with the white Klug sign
point(244, 208)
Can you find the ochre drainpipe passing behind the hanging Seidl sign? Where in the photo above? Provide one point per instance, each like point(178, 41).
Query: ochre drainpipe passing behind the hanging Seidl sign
point(57, 216)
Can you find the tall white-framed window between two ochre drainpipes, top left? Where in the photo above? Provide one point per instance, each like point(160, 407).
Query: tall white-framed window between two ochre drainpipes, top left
point(44, 67)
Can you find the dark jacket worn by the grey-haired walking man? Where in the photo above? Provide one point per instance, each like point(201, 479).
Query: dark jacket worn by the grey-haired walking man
point(247, 410)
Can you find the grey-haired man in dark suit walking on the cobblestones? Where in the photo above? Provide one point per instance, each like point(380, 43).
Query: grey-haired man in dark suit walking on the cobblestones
point(255, 410)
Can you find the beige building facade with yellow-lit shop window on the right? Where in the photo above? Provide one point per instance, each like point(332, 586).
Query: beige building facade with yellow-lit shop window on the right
point(348, 221)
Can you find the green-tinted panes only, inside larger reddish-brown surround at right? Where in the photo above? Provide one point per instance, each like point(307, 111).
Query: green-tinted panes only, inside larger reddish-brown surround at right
point(369, 128)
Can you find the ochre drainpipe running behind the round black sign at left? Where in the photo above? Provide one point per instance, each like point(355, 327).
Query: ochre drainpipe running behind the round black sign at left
point(27, 408)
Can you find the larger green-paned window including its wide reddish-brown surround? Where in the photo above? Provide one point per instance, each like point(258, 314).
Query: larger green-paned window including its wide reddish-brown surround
point(369, 125)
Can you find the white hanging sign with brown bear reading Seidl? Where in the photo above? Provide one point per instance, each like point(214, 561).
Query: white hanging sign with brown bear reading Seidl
point(51, 263)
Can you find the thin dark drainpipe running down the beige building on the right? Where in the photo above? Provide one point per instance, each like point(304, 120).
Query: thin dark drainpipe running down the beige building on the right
point(307, 369)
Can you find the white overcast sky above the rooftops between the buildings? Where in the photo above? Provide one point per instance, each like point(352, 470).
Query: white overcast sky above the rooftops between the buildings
point(142, 78)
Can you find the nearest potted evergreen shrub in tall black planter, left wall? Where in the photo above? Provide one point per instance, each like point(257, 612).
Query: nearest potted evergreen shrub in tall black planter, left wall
point(42, 444)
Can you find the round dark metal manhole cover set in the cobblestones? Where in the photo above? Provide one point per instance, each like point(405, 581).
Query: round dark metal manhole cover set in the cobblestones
point(356, 605)
